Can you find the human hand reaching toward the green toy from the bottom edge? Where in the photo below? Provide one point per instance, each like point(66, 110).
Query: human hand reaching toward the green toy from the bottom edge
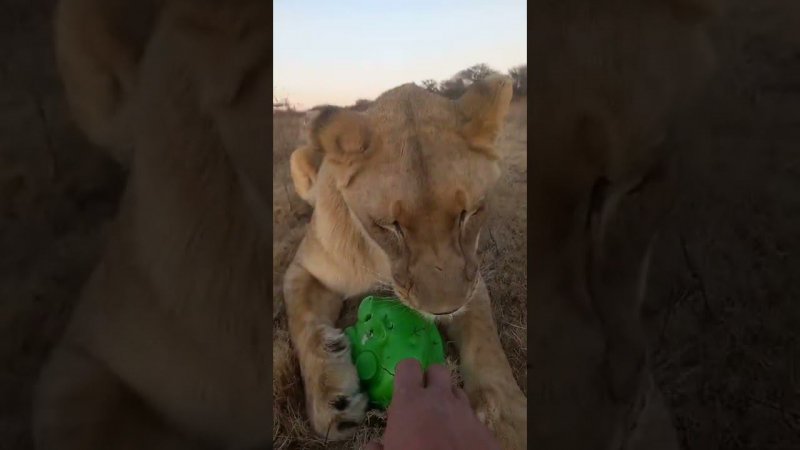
point(428, 412)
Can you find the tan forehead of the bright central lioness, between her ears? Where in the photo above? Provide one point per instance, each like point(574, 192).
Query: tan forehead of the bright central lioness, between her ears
point(423, 160)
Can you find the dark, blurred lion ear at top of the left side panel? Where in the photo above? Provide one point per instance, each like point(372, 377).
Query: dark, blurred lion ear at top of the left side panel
point(98, 45)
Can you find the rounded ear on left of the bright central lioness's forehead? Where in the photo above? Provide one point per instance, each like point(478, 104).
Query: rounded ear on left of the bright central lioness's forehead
point(343, 135)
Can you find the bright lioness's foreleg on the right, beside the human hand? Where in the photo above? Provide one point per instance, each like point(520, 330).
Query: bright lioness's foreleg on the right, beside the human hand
point(488, 379)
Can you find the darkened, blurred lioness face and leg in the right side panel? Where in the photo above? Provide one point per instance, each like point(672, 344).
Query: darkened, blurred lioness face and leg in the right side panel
point(606, 76)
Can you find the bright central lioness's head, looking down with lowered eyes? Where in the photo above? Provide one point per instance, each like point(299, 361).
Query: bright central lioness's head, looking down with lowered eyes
point(413, 172)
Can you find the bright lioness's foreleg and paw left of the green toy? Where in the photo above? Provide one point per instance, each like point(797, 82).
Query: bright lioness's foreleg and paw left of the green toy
point(333, 401)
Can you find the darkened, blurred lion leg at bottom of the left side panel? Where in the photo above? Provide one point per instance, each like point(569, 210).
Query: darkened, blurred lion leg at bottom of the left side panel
point(80, 405)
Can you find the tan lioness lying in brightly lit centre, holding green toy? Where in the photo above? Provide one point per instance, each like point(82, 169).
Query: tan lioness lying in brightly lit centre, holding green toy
point(400, 194)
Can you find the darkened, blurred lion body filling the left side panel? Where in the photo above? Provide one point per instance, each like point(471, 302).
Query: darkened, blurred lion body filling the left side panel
point(169, 346)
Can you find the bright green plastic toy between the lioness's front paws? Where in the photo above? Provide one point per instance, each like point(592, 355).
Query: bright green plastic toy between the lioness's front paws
point(386, 333)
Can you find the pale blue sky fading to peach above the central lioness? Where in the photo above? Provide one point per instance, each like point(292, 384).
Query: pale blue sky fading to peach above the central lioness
point(335, 52)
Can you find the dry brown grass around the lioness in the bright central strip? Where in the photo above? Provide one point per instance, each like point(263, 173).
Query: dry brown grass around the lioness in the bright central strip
point(503, 252)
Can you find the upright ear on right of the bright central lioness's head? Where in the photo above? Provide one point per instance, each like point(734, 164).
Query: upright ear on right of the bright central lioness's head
point(484, 107)
